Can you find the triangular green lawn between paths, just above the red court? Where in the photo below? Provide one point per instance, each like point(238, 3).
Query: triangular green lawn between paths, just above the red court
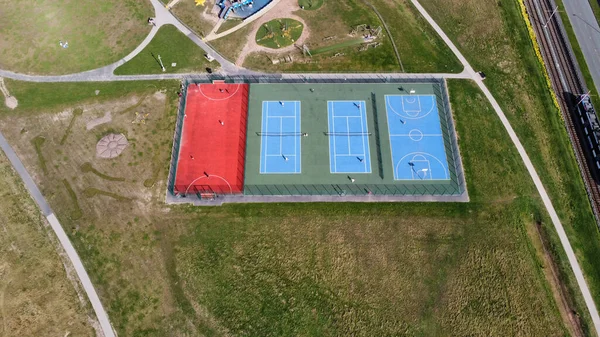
point(173, 47)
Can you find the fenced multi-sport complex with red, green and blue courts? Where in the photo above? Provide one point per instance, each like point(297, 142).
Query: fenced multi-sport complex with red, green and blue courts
point(261, 140)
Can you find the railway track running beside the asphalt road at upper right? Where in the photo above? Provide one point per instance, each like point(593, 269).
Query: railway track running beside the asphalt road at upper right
point(567, 83)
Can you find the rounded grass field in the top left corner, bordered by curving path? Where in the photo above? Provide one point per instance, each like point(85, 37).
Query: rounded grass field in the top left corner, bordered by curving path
point(98, 33)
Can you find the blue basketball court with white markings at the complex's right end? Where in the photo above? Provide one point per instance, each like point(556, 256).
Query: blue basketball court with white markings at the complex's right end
point(416, 140)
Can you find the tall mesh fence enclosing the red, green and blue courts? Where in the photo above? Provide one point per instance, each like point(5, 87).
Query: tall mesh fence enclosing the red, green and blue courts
point(456, 186)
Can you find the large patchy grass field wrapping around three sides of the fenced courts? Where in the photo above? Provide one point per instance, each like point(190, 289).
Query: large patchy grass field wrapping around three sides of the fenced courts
point(296, 269)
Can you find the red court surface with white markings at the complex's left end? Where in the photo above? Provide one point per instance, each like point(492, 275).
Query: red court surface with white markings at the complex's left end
point(213, 140)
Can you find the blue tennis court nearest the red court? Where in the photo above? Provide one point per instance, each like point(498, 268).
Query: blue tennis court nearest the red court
point(280, 138)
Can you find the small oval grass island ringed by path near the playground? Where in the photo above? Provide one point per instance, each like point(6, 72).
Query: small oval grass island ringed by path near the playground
point(279, 33)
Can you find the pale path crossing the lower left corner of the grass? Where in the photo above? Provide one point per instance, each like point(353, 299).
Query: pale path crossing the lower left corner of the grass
point(61, 235)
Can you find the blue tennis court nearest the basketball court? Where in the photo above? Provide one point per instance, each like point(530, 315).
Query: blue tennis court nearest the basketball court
point(348, 137)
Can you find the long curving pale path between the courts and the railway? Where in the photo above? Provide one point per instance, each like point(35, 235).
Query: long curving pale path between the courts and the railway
point(587, 296)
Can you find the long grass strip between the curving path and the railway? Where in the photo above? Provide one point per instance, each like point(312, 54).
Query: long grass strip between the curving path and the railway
point(494, 38)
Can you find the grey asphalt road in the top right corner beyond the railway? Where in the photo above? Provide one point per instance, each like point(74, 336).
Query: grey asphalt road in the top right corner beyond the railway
point(587, 32)
